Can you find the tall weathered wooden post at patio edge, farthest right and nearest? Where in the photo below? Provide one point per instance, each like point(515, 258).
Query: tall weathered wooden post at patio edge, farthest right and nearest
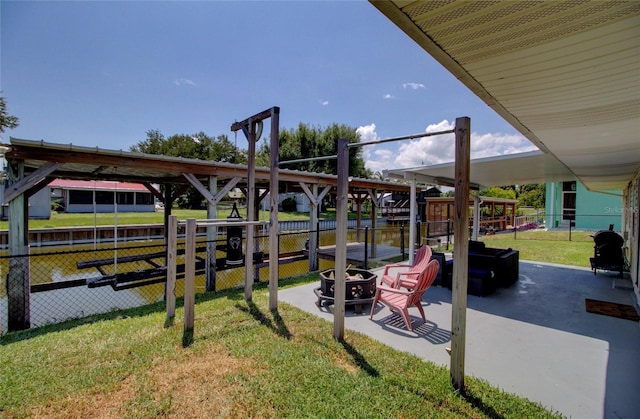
point(461, 259)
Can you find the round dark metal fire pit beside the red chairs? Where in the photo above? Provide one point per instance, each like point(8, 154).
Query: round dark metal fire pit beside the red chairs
point(360, 287)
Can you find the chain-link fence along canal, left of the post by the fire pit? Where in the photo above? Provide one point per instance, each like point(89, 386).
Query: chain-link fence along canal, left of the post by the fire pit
point(75, 281)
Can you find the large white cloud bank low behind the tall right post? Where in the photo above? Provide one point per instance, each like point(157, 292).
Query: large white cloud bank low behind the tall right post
point(436, 149)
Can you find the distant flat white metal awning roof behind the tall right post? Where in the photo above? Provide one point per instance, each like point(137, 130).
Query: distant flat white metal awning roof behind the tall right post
point(519, 169)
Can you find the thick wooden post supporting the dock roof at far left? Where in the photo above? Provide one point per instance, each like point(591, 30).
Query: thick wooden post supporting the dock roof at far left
point(18, 281)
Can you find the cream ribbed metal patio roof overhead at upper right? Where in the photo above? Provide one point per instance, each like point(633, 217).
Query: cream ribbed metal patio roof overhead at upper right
point(565, 73)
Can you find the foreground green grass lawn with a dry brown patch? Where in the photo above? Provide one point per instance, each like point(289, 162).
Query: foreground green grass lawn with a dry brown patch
point(243, 361)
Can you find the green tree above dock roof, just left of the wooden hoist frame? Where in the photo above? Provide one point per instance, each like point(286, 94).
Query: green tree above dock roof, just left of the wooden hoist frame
point(197, 146)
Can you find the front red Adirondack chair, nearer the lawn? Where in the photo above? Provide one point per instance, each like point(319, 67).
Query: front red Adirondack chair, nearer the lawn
point(401, 300)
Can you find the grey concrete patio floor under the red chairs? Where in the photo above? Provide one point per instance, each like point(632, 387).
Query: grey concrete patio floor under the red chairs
point(534, 339)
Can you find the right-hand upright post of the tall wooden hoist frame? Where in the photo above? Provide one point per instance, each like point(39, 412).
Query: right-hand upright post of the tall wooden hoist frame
point(274, 264)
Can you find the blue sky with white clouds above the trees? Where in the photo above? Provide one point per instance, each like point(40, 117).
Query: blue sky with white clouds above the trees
point(104, 73)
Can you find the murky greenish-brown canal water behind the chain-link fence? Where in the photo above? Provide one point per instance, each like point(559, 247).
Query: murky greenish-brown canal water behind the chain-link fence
point(60, 264)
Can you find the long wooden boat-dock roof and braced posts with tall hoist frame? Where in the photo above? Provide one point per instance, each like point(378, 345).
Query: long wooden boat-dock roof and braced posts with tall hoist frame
point(32, 165)
